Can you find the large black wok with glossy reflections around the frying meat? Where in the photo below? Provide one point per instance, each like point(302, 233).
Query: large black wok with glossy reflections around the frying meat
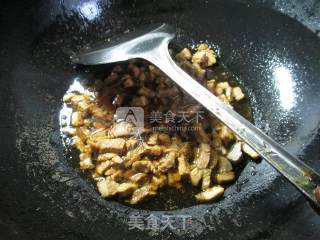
point(45, 196)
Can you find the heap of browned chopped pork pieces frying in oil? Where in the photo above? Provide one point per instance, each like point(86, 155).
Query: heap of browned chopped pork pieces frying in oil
point(137, 168)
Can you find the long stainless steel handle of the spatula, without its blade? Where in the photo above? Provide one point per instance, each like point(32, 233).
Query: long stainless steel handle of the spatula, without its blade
point(297, 172)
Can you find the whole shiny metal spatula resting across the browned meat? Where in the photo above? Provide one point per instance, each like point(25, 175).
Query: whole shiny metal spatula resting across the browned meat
point(152, 45)
